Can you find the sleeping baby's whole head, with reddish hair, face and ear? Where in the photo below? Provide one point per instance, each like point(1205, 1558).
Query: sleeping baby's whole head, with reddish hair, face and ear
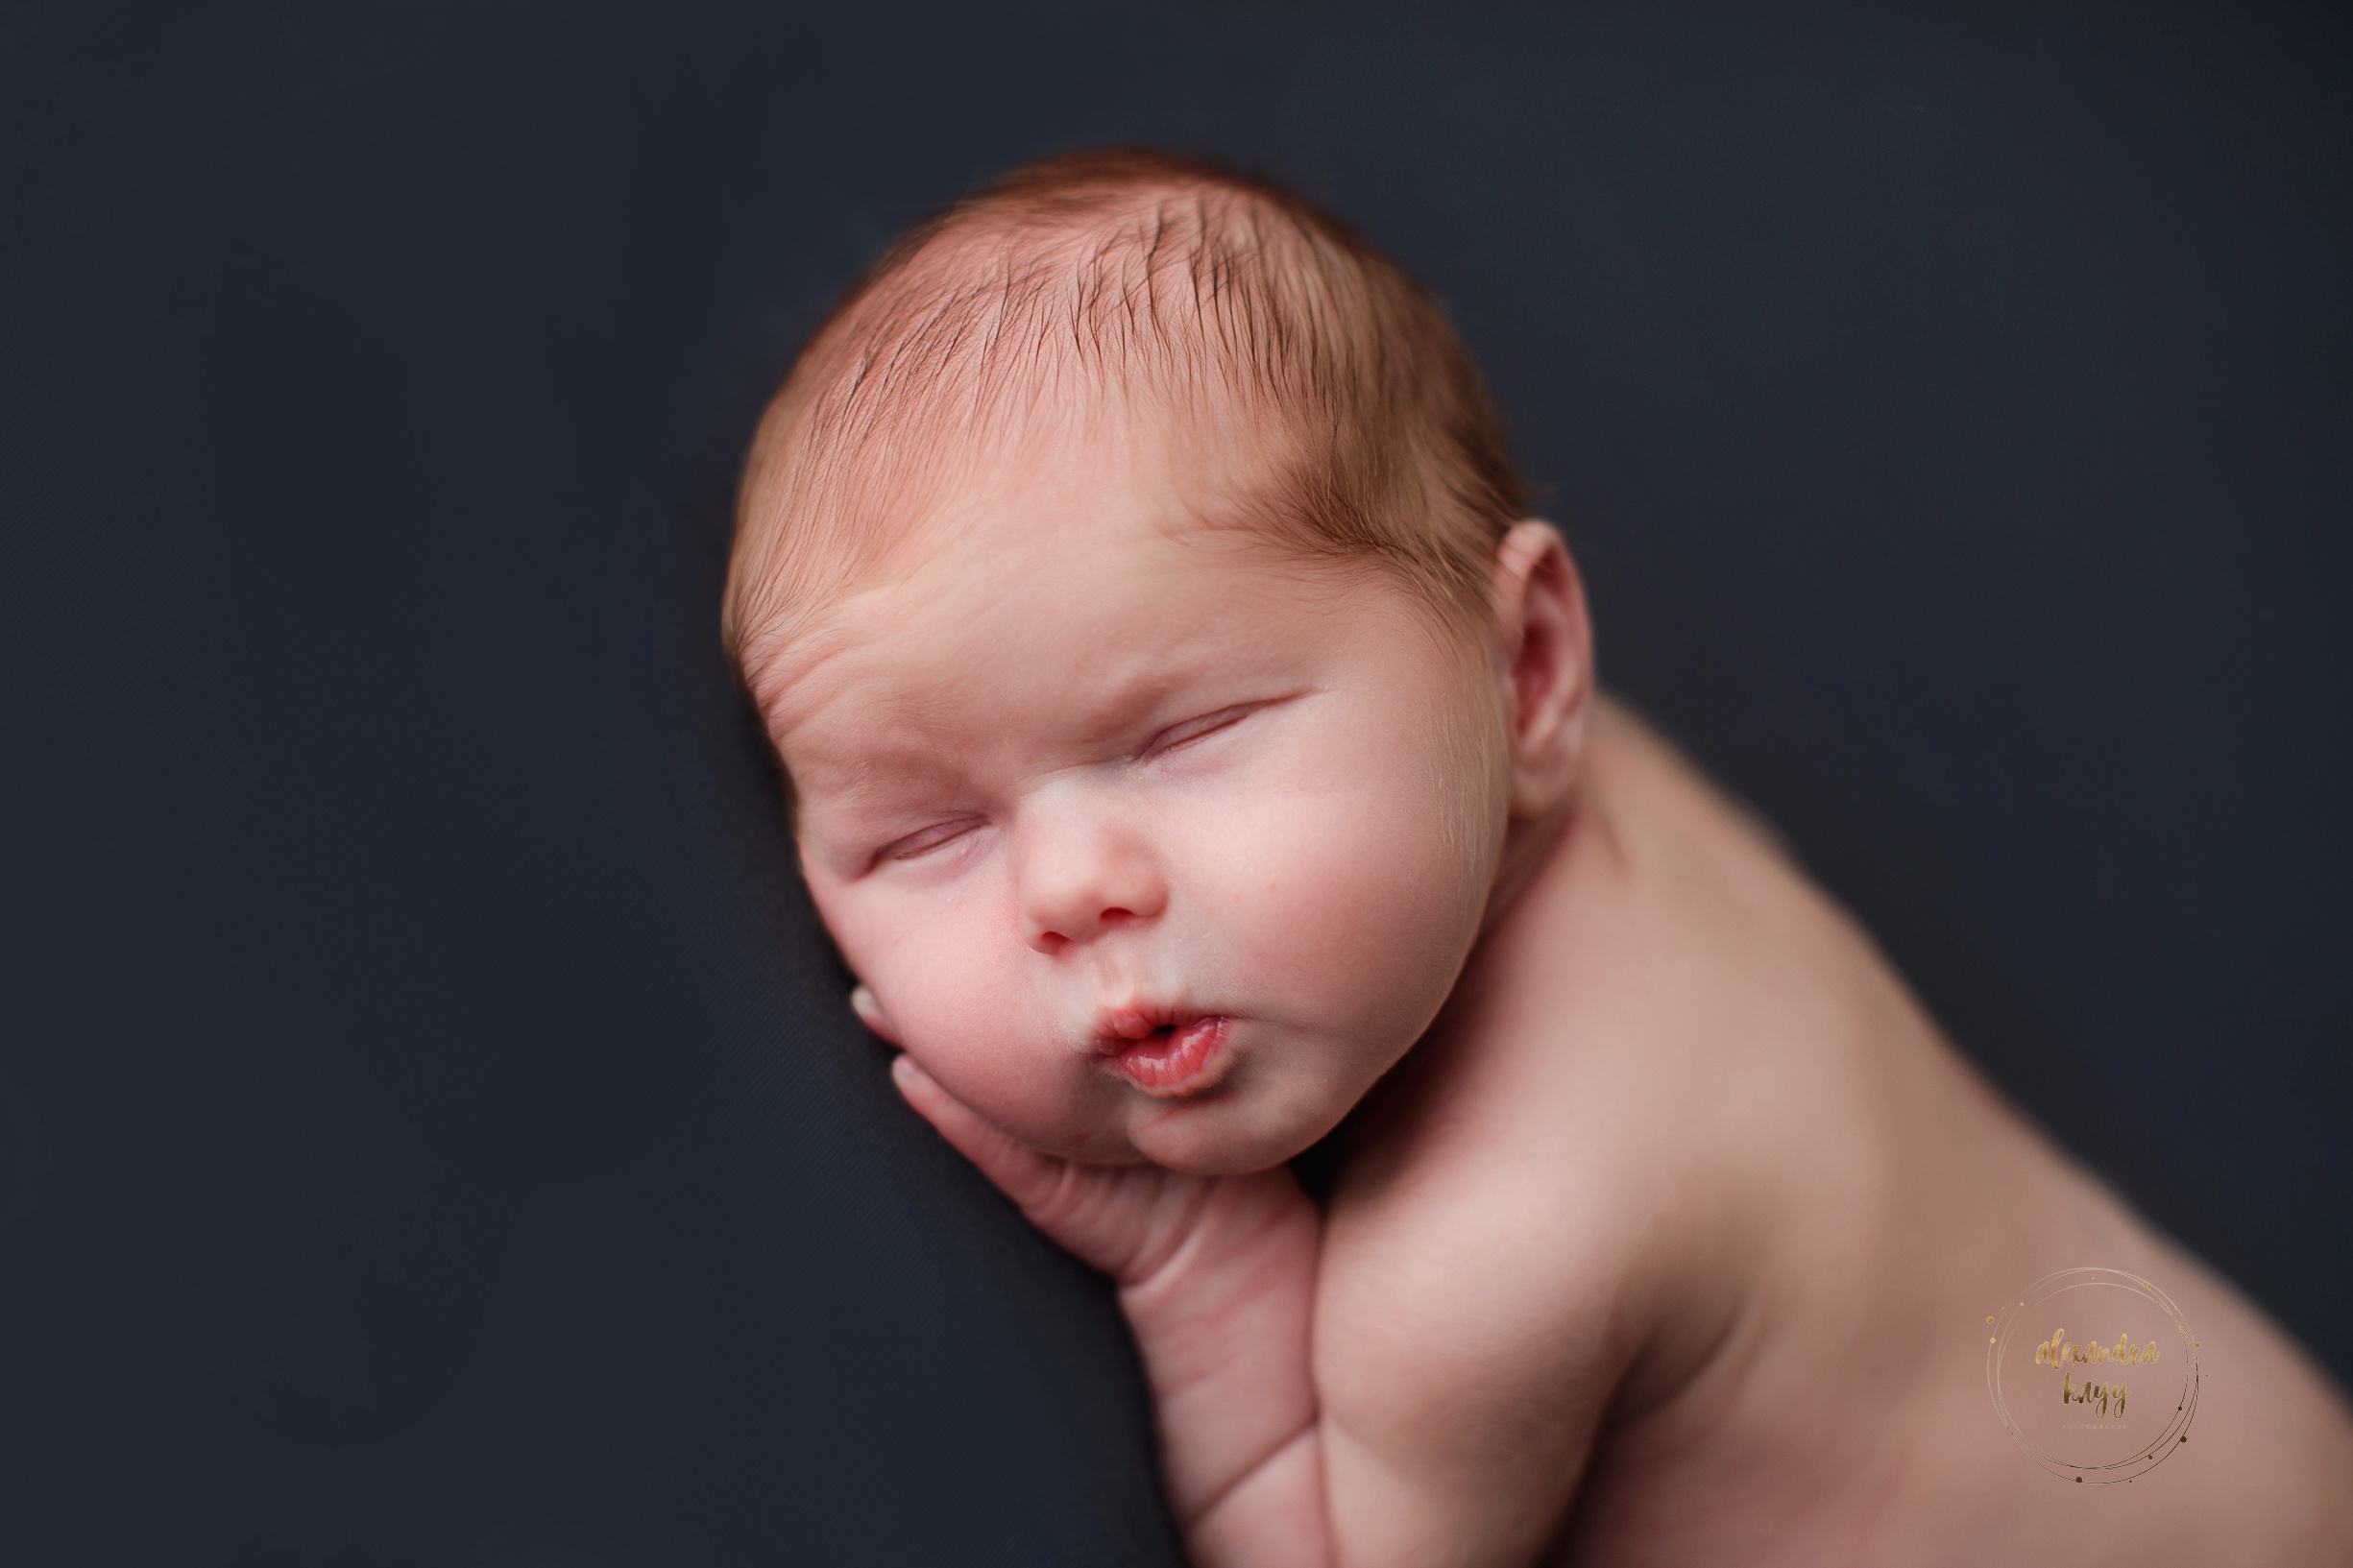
point(1133, 579)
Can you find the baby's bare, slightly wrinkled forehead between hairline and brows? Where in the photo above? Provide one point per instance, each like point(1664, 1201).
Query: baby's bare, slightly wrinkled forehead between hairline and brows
point(1109, 561)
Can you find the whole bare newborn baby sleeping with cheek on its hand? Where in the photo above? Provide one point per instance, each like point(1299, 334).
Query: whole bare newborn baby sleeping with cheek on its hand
point(1194, 749)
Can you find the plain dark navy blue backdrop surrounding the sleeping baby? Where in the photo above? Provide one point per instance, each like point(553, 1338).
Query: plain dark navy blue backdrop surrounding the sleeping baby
point(429, 1123)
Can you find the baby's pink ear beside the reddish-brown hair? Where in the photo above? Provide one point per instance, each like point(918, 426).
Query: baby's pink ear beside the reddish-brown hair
point(1547, 664)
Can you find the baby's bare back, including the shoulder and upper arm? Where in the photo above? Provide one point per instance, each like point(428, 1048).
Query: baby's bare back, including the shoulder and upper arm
point(1677, 1238)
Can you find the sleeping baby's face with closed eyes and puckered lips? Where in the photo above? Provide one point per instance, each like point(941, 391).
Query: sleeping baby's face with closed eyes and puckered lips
point(1145, 843)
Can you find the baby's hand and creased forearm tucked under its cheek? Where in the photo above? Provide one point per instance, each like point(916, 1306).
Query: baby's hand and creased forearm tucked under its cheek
point(1218, 1278)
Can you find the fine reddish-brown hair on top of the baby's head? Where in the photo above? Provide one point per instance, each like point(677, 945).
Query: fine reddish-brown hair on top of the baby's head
point(1142, 283)
